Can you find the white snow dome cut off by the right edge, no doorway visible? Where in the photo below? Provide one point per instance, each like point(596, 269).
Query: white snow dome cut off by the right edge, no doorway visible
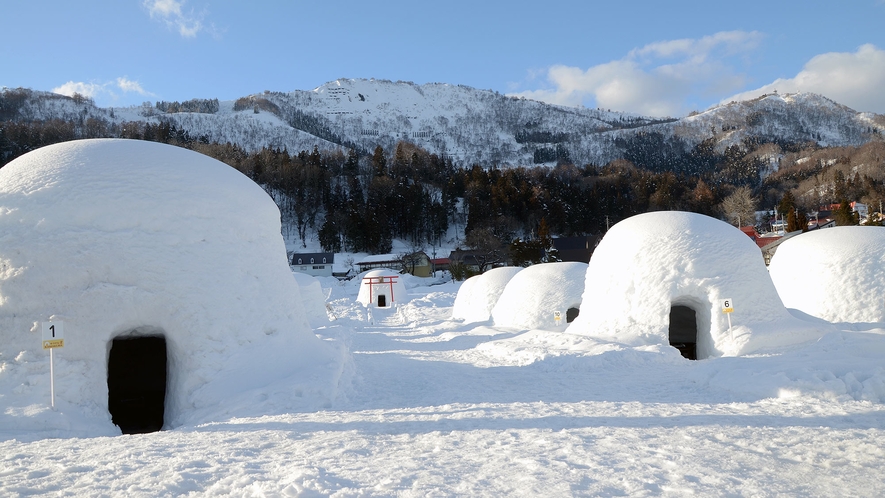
point(837, 274)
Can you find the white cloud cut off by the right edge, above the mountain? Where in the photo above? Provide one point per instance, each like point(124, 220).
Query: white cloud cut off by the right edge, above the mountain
point(854, 79)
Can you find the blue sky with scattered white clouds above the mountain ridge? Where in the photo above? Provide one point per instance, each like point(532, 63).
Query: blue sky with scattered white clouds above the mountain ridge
point(649, 57)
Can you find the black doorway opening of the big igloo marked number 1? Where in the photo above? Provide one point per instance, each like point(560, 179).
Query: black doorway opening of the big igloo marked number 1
point(137, 383)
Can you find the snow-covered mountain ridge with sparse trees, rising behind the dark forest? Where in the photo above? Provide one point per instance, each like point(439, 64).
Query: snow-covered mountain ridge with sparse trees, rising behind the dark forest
point(469, 125)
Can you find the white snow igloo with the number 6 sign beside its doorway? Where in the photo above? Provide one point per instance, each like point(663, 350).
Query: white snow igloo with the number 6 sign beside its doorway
point(659, 278)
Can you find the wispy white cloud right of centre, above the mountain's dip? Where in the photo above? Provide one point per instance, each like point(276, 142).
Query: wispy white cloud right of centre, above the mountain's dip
point(658, 79)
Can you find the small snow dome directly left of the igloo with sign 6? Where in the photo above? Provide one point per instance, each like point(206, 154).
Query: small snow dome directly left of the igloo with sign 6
point(533, 295)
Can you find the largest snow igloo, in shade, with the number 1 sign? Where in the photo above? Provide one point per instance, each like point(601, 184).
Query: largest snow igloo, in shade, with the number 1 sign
point(170, 274)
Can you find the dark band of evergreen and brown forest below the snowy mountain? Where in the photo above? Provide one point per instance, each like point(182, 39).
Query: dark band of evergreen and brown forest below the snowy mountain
point(360, 202)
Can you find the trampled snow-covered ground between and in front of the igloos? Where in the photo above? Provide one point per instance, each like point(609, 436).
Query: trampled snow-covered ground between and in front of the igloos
point(438, 407)
